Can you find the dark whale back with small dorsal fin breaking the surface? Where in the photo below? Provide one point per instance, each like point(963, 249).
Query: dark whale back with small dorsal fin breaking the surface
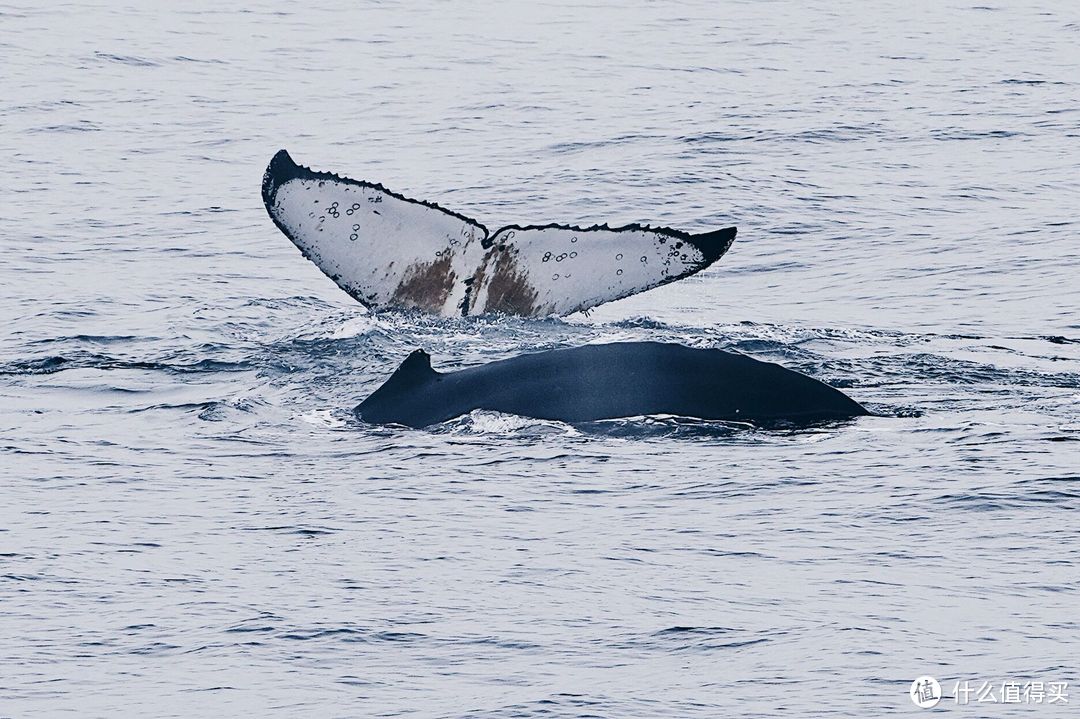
point(606, 382)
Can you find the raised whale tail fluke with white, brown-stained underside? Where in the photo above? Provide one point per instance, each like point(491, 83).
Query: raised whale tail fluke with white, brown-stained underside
point(388, 251)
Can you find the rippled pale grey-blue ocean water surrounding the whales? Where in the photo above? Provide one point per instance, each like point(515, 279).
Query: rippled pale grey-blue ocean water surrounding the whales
point(194, 524)
